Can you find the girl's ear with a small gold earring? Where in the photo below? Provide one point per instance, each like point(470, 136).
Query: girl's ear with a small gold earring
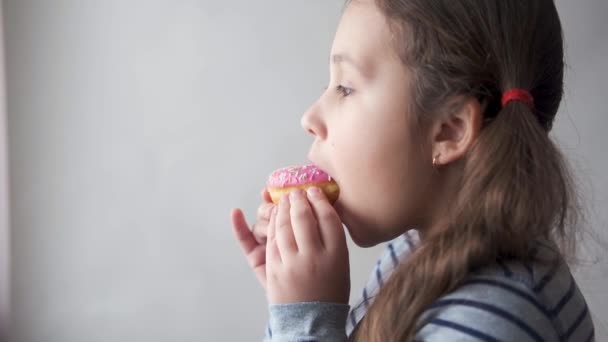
point(455, 131)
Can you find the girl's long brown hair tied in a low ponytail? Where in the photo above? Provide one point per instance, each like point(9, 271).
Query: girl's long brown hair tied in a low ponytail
point(516, 186)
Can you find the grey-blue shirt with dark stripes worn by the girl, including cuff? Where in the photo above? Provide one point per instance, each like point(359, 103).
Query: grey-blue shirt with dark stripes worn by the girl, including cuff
point(508, 301)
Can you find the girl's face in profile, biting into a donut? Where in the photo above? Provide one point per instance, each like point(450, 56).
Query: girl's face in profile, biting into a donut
point(362, 132)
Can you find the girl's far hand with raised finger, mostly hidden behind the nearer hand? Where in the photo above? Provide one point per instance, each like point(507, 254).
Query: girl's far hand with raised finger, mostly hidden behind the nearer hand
point(253, 240)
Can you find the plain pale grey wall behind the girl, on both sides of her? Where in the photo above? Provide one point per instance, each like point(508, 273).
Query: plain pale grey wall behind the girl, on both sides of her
point(134, 127)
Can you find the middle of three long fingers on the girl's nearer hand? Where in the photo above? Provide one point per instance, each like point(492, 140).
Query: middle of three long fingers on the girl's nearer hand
point(304, 223)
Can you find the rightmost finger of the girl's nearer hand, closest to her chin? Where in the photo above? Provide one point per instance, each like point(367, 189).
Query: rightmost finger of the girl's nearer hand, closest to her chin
point(330, 226)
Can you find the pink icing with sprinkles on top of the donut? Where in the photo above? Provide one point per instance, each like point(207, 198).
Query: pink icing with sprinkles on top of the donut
point(297, 175)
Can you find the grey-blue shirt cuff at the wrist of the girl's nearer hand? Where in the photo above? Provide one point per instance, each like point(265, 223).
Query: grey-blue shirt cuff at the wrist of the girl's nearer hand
point(307, 322)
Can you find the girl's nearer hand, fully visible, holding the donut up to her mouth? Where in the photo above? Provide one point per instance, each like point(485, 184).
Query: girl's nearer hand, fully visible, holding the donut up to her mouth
point(306, 253)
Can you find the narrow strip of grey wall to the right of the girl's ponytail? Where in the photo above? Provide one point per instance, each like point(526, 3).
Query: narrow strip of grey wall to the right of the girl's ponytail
point(581, 130)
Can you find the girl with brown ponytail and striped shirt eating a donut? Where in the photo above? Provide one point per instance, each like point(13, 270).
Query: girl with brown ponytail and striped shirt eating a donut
point(436, 117)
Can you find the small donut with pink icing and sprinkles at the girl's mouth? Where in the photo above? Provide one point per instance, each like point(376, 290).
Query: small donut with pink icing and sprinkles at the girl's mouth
point(284, 180)
